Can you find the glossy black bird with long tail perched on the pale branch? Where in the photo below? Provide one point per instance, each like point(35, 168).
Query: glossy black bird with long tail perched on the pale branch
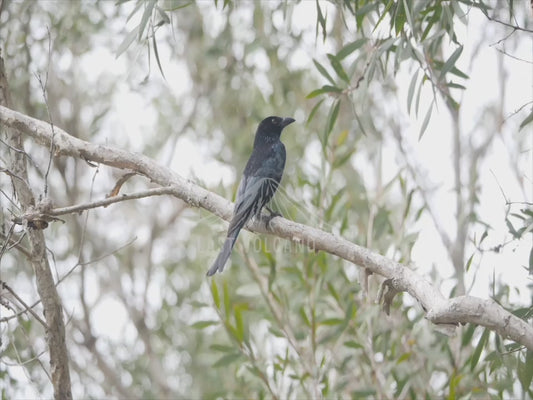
point(260, 181)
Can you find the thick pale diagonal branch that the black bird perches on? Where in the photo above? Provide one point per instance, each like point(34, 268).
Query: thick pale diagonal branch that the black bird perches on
point(401, 278)
